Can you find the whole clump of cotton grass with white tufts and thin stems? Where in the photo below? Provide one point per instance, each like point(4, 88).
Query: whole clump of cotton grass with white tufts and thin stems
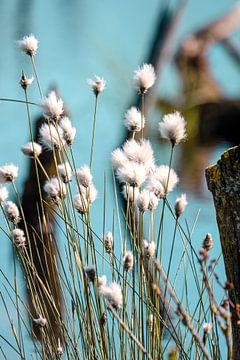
point(115, 304)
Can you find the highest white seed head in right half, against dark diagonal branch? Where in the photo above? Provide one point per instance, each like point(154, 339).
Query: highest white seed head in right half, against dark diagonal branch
point(144, 78)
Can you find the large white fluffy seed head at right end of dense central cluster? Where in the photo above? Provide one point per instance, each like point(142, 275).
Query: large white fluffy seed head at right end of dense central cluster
point(167, 177)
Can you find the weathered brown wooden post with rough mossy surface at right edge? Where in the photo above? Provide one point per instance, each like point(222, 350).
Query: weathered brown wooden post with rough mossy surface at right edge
point(223, 181)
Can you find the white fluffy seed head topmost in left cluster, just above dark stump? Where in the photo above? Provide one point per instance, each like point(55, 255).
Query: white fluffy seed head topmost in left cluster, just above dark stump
point(53, 105)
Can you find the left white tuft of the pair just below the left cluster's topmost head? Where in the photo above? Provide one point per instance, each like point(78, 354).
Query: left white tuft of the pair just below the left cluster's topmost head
point(51, 136)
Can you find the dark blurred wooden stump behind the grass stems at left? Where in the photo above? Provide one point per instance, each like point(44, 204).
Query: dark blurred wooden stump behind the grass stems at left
point(41, 247)
